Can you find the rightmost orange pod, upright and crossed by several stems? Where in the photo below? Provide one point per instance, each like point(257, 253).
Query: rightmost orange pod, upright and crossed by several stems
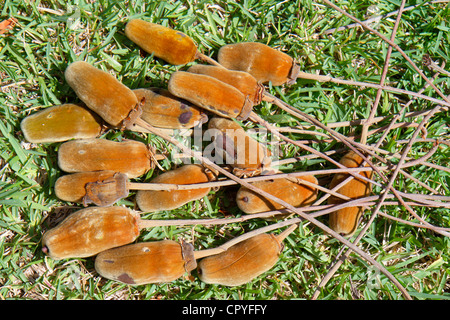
point(345, 221)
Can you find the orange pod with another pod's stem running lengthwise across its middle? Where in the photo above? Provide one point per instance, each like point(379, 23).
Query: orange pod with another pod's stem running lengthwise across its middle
point(152, 200)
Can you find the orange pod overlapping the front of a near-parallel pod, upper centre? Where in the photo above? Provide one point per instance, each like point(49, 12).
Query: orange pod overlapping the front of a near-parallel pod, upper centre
point(211, 94)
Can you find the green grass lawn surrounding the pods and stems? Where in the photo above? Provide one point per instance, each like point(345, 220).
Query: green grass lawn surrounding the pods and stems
point(35, 53)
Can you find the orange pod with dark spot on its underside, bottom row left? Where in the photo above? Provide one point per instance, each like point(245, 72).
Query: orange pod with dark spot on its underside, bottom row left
point(143, 263)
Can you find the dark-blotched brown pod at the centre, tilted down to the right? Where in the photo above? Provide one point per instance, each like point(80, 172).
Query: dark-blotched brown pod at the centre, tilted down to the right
point(244, 154)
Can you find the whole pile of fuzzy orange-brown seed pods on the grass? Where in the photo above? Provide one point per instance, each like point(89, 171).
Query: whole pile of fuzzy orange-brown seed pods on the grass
point(98, 170)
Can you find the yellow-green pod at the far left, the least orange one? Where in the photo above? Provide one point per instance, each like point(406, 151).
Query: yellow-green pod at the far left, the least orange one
point(61, 123)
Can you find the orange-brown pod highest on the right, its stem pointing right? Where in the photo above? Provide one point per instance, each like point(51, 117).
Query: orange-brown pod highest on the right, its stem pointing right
point(261, 61)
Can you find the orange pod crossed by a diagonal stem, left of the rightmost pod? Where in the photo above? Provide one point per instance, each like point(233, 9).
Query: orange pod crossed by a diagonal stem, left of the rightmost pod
point(296, 194)
